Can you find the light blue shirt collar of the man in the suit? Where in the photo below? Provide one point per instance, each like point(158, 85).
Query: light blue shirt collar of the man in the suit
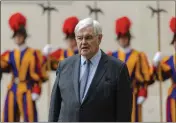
point(94, 60)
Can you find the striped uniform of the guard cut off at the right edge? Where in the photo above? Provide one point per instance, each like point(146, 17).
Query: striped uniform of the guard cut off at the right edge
point(167, 70)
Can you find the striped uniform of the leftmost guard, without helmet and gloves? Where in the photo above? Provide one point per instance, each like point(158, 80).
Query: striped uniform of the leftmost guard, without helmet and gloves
point(27, 76)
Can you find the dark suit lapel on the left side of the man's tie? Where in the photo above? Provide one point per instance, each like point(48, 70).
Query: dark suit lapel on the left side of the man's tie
point(76, 69)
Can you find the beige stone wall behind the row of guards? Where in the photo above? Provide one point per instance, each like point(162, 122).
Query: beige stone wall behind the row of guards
point(144, 30)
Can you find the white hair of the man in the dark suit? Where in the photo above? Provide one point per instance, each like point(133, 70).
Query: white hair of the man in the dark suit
point(89, 22)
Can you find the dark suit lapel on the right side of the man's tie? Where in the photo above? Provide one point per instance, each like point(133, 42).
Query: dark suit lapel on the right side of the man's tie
point(102, 66)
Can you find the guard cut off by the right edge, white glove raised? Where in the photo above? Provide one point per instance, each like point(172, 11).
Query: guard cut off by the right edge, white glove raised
point(165, 68)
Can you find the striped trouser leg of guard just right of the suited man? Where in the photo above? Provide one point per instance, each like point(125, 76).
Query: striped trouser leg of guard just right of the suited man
point(136, 110)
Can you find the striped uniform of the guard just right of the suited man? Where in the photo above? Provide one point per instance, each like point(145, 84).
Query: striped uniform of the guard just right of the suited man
point(141, 76)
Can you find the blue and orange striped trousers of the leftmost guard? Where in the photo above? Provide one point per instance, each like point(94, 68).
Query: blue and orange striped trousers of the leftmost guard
point(19, 105)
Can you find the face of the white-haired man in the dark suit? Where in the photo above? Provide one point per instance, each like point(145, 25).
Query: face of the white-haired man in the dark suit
point(87, 42)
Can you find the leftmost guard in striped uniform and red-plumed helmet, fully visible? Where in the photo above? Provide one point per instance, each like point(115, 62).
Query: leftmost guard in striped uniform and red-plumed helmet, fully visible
point(25, 65)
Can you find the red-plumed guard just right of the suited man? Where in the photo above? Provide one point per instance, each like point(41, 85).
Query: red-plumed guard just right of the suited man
point(139, 69)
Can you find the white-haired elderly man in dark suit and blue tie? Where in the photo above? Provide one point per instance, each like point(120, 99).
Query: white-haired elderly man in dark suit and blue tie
point(91, 86)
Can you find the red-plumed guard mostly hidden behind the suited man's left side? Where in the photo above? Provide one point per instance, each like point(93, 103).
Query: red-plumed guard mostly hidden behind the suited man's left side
point(60, 54)
